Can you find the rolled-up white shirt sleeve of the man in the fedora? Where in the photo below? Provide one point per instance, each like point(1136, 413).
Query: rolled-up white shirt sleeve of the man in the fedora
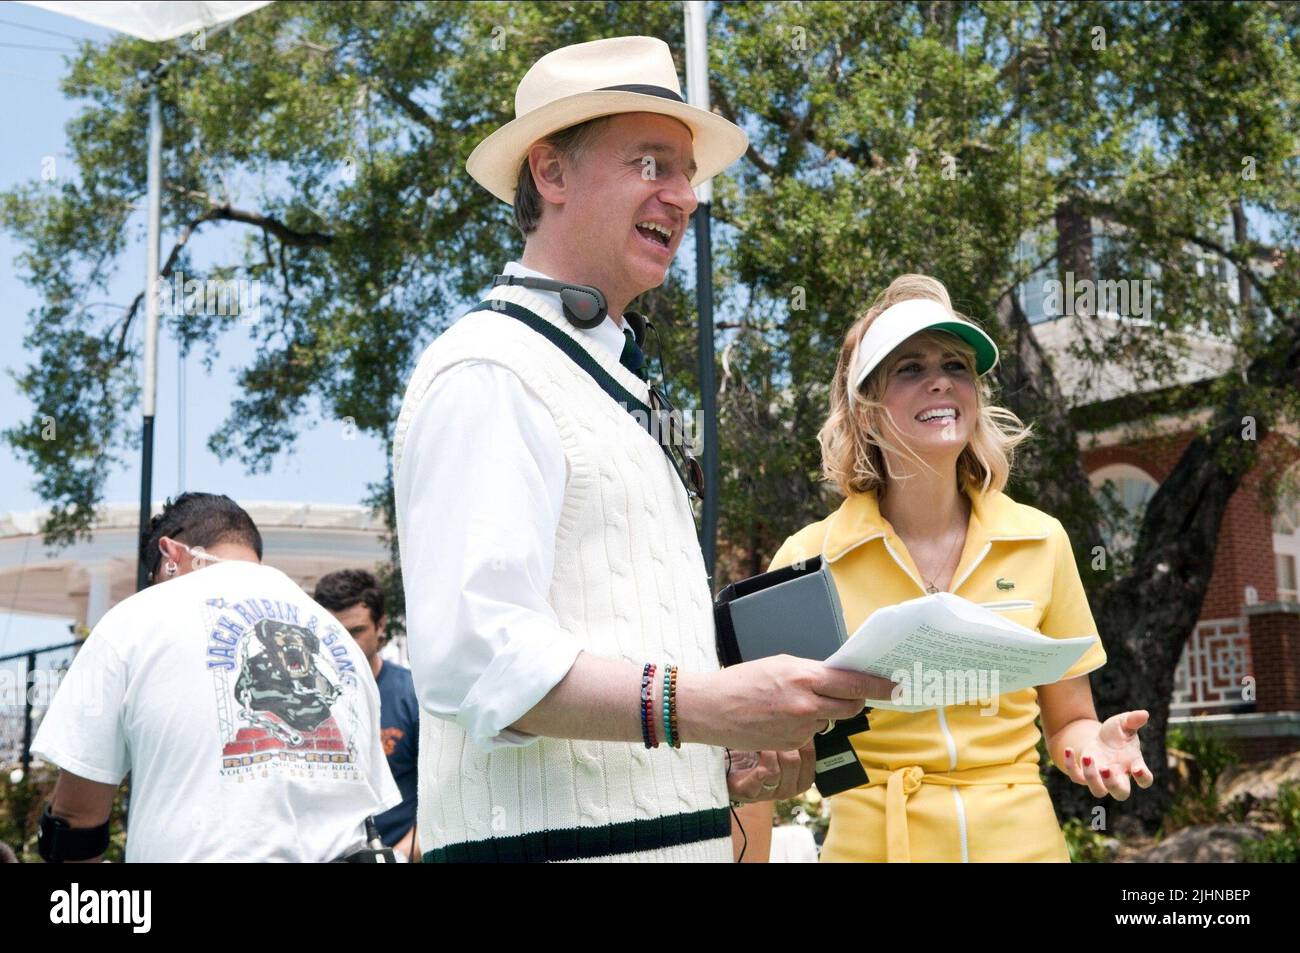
point(480, 492)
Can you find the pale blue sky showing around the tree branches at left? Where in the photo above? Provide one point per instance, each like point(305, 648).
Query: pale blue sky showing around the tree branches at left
point(322, 469)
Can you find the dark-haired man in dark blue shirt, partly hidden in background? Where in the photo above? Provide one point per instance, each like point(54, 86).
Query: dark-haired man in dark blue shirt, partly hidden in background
point(357, 601)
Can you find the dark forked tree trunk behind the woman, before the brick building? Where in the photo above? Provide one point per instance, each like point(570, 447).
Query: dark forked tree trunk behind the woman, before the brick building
point(1146, 617)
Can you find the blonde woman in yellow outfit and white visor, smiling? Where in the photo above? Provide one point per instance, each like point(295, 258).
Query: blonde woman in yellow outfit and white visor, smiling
point(921, 458)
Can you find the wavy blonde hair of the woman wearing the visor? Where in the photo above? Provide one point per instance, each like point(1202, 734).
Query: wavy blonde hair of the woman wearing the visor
point(857, 435)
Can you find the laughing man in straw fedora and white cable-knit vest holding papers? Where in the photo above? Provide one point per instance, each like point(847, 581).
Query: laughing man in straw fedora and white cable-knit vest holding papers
point(560, 616)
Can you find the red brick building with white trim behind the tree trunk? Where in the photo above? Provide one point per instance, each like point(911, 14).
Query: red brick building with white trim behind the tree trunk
point(1240, 675)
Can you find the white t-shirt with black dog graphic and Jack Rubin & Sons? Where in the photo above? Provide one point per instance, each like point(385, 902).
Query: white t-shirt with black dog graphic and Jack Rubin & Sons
point(246, 714)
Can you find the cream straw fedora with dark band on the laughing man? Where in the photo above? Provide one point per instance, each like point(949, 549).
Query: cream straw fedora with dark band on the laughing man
point(623, 75)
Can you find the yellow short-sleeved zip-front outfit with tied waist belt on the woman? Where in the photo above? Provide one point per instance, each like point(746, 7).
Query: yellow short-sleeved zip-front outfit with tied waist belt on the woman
point(954, 783)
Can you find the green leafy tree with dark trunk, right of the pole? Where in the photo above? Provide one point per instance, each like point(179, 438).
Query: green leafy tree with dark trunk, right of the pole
point(980, 144)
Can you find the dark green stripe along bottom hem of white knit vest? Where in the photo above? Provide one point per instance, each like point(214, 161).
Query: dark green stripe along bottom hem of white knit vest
point(582, 843)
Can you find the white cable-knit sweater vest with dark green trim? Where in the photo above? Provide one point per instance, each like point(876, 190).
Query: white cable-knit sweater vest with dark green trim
point(630, 584)
